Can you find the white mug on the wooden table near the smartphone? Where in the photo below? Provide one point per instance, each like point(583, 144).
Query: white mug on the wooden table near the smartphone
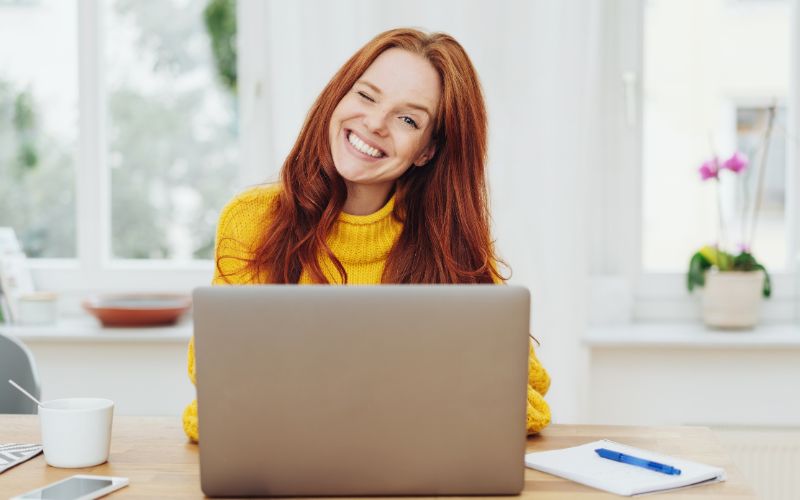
point(76, 432)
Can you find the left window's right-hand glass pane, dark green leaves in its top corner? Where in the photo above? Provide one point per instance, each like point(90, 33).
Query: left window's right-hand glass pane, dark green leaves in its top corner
point(172, 130)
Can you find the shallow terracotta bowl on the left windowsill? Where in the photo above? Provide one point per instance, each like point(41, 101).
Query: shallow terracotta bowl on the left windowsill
point(137, 309)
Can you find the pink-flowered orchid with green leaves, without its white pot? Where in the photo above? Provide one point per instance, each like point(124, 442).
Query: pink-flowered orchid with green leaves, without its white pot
point(712, 256)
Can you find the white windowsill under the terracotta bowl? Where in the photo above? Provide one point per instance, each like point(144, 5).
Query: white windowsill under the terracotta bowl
point(88, 329)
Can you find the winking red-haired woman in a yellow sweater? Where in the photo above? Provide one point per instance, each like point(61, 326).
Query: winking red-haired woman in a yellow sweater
point(385, 184)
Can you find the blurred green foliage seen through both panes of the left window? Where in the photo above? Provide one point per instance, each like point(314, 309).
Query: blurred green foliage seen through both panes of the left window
point(172, 143)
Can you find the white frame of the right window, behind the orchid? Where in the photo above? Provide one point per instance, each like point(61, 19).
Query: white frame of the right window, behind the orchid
point(621, 292)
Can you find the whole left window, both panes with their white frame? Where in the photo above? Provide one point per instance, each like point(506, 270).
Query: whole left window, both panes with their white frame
point(119, 138)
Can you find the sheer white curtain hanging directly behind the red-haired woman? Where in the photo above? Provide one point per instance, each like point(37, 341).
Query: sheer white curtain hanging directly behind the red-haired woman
point(538, 66)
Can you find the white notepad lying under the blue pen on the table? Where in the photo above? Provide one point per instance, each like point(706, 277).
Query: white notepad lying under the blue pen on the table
point(582, 465)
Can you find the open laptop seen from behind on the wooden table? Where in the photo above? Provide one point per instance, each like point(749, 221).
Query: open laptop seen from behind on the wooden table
point(361, 390)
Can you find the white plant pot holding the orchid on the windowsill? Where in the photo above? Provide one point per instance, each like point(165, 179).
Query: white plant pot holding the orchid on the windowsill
point(732, 299)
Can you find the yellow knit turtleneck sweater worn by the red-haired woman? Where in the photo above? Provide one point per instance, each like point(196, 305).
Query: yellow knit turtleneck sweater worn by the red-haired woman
point(361, 243)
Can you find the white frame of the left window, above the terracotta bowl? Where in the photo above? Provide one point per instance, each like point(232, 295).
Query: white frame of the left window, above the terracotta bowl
point(93, 270)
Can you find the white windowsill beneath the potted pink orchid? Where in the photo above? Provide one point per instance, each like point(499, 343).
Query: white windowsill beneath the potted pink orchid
point(691, 335)
